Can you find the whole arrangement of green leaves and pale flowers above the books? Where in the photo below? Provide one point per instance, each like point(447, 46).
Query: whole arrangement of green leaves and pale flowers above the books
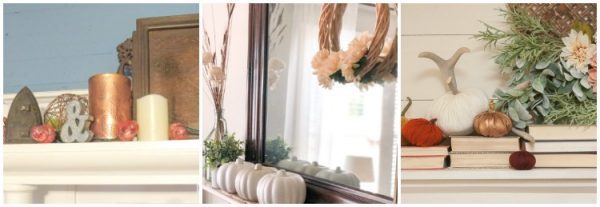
point(551, 79)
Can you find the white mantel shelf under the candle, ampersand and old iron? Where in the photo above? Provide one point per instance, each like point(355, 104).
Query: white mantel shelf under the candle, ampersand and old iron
point(103, 163)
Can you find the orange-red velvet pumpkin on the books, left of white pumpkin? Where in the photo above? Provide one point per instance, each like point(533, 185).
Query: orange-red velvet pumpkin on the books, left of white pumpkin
point(422, 132)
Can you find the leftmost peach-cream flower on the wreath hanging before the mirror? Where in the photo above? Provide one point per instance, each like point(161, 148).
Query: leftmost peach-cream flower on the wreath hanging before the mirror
point(324, 64)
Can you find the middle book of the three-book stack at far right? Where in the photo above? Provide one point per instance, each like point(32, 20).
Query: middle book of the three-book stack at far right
point(561, 146)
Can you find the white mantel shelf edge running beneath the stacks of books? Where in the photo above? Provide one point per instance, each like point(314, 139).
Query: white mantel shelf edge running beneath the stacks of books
point(499, 174)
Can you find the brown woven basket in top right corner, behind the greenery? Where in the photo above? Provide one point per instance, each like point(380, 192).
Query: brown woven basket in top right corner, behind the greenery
point(561, 16)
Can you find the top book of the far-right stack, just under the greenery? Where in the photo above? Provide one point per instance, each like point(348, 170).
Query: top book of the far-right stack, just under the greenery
point(562, 132)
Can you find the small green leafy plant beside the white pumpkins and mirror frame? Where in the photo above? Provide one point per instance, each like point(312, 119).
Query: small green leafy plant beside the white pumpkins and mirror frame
point(218, 152)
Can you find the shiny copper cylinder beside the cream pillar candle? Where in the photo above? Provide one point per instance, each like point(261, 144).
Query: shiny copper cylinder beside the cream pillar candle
point(109, 104)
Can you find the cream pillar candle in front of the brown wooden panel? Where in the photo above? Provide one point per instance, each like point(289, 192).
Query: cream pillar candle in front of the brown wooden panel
point(153, 118)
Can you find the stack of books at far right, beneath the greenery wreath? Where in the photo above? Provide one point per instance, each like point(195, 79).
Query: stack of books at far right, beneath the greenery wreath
point(563, 146)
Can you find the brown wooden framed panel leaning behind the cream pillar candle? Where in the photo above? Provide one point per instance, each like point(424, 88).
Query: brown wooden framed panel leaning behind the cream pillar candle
point(165, 62)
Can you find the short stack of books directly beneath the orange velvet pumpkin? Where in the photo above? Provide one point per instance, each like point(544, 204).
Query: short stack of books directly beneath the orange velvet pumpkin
point(424, 158)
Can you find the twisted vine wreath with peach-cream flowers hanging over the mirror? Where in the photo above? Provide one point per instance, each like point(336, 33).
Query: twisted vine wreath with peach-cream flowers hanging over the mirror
point(368, 59)
